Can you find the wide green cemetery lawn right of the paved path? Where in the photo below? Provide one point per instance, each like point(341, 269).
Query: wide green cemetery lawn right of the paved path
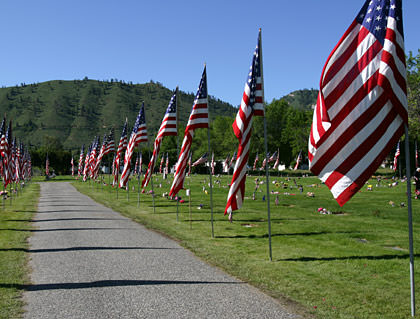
point(349, 265)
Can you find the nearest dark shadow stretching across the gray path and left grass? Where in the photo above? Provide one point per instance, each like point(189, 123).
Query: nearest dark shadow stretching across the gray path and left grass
point(112, 283)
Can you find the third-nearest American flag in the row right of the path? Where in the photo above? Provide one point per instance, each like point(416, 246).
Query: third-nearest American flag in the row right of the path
point(198, 119)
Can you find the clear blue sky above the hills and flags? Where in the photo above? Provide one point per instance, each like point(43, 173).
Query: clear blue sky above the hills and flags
point(169, 41)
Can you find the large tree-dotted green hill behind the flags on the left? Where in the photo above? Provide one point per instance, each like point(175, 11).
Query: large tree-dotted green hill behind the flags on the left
point(75, 111)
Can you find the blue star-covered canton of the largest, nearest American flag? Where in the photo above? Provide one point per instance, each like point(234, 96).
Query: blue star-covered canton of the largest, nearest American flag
point(374, 16)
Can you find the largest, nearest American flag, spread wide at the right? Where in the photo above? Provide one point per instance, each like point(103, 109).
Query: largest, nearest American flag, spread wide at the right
point(362, 102)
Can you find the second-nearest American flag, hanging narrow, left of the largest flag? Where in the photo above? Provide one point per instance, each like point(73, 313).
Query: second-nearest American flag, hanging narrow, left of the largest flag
point(251, 104)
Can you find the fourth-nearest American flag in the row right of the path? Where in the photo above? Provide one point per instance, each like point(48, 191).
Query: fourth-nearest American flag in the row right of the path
point(167, 128)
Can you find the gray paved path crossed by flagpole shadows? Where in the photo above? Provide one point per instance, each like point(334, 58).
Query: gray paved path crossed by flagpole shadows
point(88, 261)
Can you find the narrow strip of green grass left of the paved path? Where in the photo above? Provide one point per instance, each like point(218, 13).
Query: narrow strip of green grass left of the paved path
point(15, 226)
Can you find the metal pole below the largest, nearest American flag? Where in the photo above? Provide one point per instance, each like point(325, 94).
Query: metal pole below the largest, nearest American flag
point(410, 222)
